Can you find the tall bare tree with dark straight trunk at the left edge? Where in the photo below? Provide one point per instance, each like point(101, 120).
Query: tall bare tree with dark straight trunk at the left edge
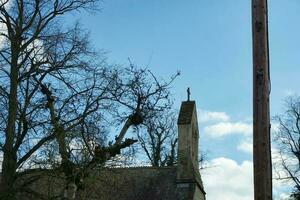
point(27, 26)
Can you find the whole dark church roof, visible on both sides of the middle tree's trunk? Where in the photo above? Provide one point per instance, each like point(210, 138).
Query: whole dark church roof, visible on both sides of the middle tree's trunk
point(134, 183)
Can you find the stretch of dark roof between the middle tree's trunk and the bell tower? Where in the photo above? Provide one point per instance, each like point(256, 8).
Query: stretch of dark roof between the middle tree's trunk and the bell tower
point(145, 183)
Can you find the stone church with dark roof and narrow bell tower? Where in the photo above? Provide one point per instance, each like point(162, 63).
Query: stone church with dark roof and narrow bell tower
point(181, 182)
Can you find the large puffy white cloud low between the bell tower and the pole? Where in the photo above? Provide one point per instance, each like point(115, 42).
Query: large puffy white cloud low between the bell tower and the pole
point(227, 180)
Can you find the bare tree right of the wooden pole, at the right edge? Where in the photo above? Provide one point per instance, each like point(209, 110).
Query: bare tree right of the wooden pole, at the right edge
point(287, 139)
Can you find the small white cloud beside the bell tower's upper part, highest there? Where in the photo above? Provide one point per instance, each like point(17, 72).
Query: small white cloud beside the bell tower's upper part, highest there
point(208, 116)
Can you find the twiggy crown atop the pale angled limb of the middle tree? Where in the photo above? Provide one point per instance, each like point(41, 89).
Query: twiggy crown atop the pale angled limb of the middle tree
point(140, 94)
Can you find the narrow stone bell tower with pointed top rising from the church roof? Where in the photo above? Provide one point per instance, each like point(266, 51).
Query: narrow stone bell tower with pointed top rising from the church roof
point(188, 175)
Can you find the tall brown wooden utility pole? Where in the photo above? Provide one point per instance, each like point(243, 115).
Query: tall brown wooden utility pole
point(261, 110)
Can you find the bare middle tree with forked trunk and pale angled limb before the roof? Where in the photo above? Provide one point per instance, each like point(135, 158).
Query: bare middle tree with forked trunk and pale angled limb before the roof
point(154, 100)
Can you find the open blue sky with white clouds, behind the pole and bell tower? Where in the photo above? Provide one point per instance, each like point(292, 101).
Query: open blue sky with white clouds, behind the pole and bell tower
point(210, 42)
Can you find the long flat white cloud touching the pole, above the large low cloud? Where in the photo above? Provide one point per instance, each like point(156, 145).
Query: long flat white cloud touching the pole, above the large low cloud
point(228, 128)
